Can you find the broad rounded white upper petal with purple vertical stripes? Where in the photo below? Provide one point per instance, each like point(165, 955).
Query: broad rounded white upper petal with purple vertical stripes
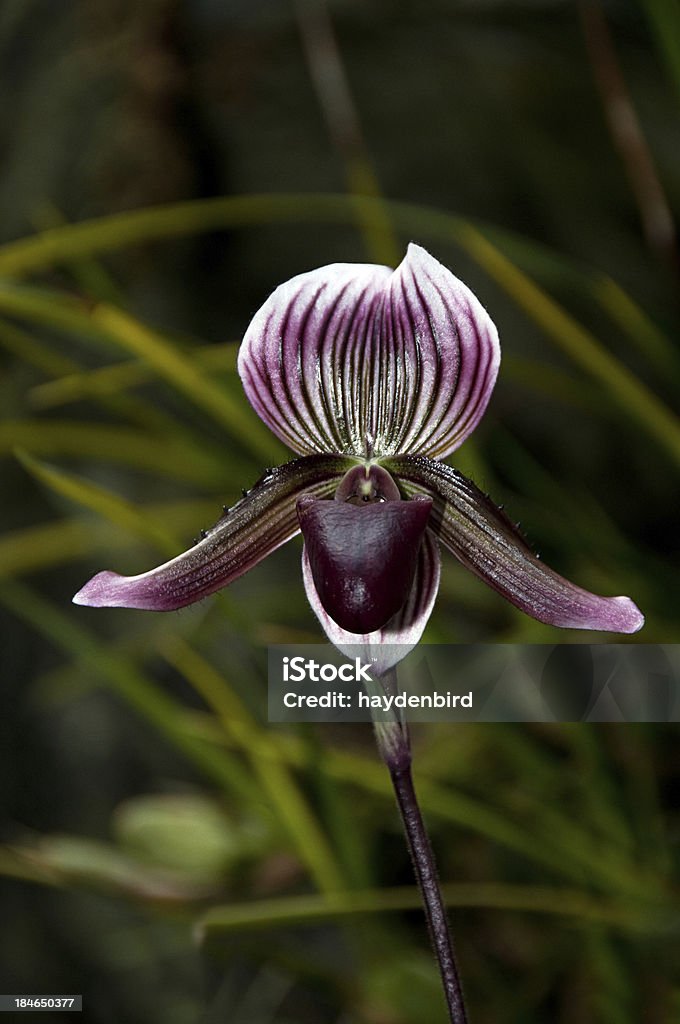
point(358, 359)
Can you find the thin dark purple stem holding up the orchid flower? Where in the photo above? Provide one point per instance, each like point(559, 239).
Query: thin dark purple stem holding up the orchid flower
point(396, 750)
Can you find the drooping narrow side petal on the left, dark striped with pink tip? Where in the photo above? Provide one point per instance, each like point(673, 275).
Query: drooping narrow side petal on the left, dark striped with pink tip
point(259, 525)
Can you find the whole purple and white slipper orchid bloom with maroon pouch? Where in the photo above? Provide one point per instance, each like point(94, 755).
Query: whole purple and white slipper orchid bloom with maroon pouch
point(372, 377)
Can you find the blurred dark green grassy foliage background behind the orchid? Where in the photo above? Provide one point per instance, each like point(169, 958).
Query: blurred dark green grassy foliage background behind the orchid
point(165, 851)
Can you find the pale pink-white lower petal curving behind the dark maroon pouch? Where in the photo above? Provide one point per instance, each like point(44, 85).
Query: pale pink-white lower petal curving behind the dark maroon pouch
point(388, 647)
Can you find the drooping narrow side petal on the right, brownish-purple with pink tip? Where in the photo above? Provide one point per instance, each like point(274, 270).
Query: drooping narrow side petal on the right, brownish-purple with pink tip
point(484, 539)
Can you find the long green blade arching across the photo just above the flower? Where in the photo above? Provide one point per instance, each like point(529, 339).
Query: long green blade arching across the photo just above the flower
point(117, 232)
